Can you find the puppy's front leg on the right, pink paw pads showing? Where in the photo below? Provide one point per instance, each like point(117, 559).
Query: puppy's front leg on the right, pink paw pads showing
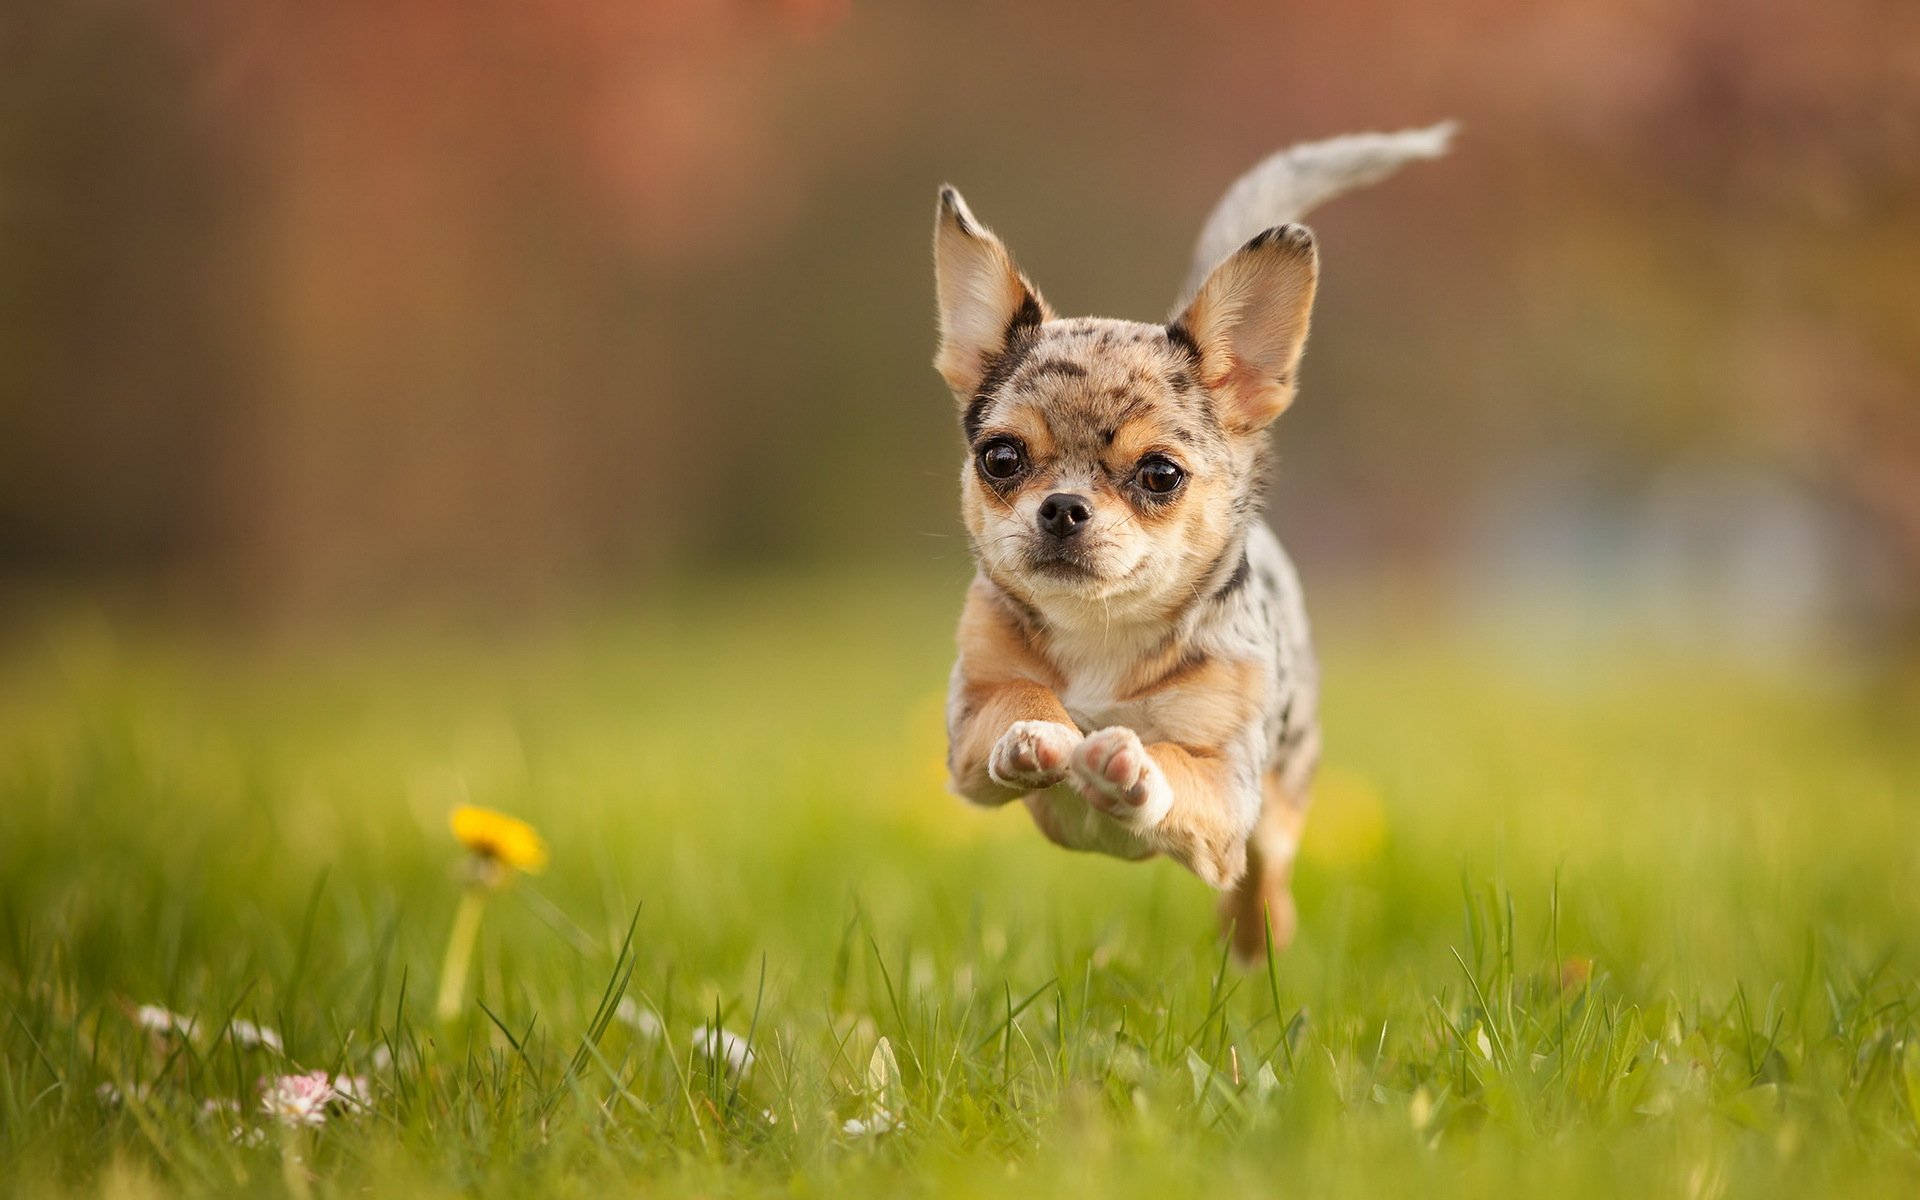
point(1193, 805)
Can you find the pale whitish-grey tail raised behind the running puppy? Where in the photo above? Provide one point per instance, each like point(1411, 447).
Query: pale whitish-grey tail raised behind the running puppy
point(1285, 185)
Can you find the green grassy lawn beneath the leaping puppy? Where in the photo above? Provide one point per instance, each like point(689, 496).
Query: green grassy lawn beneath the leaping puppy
point(1623, 928)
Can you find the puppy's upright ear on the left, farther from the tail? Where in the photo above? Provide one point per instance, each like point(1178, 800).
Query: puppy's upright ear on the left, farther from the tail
point(986, 302)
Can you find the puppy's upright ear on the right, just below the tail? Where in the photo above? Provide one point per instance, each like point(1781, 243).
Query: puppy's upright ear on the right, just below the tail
point(1249, 325)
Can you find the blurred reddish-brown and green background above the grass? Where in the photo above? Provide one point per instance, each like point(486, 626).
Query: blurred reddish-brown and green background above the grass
point(314, 314)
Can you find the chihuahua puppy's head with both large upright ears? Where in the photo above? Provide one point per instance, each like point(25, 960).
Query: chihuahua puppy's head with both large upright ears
point(1113, 464)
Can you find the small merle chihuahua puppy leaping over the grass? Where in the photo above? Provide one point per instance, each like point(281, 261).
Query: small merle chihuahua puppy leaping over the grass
point(1134, 652)
